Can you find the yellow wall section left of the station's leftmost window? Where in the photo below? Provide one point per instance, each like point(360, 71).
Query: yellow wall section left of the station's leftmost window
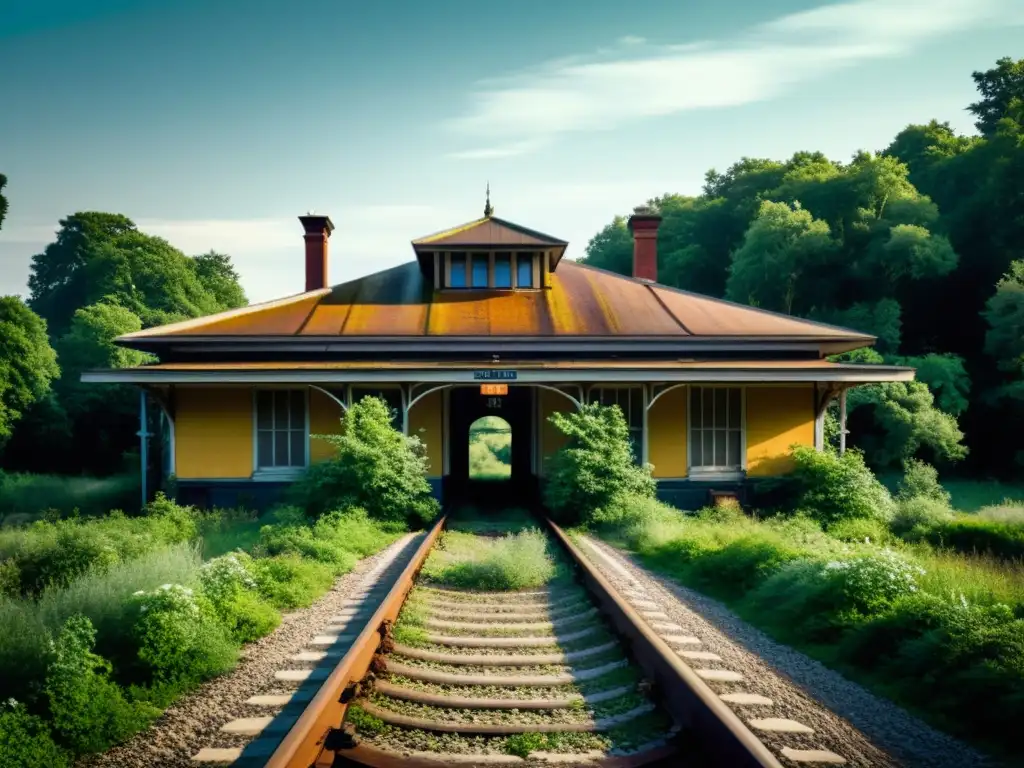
point(214, 433)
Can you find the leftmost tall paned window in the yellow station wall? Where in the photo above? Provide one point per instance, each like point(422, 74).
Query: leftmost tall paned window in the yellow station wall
point(281, 429)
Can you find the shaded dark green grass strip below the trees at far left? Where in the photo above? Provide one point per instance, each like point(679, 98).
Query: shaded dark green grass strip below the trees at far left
point(26, 497)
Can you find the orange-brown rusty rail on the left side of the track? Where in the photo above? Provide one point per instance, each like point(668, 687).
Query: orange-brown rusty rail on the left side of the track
point(307, 744)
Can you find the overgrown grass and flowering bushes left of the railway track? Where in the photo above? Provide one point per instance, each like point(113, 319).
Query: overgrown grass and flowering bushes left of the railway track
point(163, 621)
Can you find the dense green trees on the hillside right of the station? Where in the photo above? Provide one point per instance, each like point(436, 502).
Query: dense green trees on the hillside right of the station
point(907, 245)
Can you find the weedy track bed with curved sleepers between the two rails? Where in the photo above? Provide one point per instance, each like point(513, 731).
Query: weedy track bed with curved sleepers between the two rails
point(497, 653)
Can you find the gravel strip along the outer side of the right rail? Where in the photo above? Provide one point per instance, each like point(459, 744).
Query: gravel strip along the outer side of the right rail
point(846, 719)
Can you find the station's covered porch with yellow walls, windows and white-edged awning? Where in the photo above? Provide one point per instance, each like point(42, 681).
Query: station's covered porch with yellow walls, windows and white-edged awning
point(238, 434)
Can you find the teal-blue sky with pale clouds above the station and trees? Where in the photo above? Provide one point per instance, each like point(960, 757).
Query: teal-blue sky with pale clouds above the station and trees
point(216, 123)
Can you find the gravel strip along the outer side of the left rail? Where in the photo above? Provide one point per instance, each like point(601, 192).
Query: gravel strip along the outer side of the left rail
point(195, 721)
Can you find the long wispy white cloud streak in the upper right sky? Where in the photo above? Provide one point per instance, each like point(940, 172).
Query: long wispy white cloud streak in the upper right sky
point(637, 80)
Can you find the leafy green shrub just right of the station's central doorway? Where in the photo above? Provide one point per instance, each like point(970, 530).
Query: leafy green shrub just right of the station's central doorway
point(594, 466)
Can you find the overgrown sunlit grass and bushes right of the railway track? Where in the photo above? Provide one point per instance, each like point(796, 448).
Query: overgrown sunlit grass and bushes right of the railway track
point(875, 613)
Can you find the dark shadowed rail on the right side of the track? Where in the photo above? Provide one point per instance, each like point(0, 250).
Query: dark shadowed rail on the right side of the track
point(689, 700)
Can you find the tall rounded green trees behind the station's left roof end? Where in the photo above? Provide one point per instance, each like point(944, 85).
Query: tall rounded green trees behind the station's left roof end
point(103, 278)
